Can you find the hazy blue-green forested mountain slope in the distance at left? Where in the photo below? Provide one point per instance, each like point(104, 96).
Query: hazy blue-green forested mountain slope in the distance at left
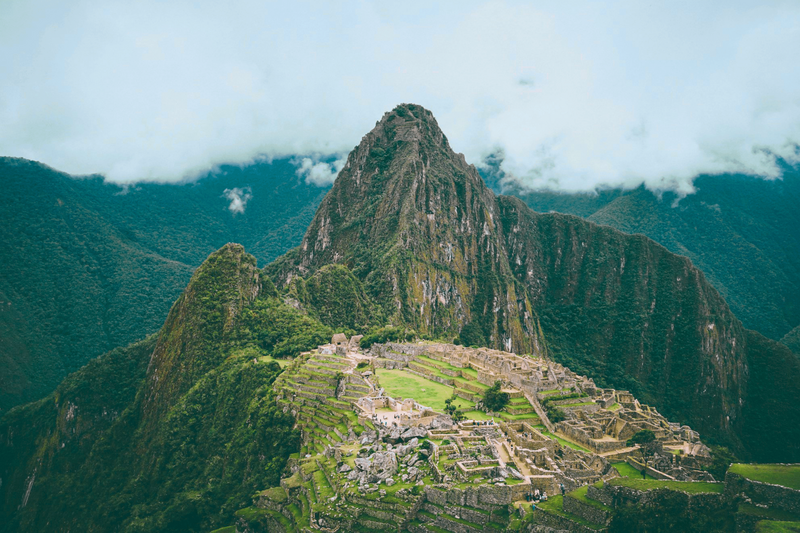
point(87, 266)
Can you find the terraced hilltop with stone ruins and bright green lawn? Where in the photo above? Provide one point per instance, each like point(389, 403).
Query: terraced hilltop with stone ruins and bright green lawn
point(398, 438)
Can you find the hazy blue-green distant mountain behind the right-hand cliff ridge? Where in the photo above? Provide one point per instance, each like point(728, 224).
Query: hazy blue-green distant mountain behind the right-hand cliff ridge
point(742, 232)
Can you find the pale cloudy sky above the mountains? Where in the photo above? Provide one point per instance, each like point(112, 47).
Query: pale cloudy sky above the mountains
point(572, 95)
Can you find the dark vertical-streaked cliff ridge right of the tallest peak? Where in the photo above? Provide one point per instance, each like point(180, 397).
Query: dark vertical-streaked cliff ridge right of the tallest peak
point(627, 311)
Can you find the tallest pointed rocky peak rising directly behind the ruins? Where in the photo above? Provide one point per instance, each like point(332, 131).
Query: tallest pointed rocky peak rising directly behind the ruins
point(416, 224)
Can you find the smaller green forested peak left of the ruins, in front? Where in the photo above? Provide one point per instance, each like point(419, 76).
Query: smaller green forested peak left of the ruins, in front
point(172, 433)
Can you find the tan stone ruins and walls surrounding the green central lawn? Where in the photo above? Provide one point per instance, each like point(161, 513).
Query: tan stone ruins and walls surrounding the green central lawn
point(410, 441)
